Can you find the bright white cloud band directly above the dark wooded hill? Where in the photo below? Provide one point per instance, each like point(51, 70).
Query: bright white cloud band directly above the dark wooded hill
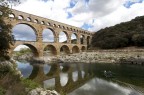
point(122, 14)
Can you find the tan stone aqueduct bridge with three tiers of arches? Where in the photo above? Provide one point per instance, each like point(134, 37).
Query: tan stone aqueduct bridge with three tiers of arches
point(38, 24)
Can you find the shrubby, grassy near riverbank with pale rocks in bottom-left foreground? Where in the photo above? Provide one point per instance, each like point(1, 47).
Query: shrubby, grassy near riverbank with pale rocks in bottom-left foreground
point(13, 83)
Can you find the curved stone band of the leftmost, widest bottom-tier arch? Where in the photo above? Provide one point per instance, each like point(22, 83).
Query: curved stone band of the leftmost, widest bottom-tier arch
point(32, 47)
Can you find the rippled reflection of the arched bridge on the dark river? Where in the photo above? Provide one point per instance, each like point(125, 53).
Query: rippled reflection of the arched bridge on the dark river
point(61, 77)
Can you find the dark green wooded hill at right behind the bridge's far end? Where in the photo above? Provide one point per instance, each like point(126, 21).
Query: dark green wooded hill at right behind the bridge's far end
point(121, 35)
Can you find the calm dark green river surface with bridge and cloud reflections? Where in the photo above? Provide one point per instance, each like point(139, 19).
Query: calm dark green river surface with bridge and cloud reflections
point(87, 79)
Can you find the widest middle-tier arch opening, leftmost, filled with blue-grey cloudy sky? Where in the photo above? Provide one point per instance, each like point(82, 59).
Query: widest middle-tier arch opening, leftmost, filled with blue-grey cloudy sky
point(24, 32)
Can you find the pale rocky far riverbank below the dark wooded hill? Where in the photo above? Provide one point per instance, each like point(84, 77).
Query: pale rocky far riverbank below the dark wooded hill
point(104, 56)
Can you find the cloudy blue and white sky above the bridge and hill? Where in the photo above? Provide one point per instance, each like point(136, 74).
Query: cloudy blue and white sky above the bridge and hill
point(91, 15)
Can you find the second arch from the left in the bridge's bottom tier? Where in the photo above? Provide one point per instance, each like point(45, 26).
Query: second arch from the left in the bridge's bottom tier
point(50, 50)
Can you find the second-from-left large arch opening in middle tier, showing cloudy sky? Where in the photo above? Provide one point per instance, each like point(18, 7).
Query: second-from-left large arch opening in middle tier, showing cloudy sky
point(48, 35)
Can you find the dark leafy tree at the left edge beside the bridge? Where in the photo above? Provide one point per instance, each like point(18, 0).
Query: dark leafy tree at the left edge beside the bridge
point(6, 39)
